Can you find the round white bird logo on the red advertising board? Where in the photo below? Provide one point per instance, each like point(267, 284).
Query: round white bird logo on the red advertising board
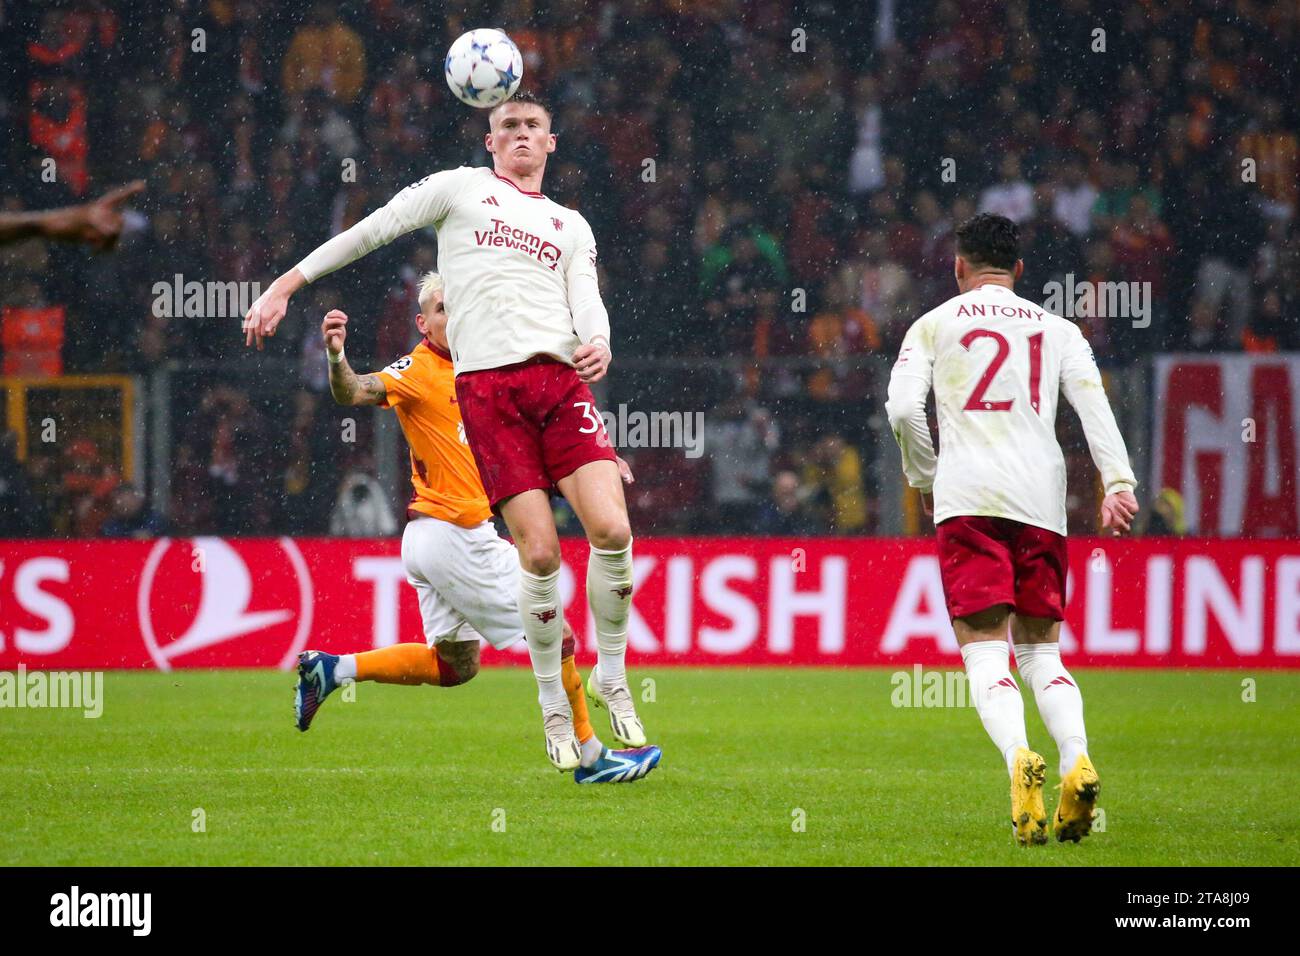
point(219, 604)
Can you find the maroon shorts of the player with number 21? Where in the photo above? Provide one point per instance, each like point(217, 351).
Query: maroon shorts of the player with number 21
point(993, 561)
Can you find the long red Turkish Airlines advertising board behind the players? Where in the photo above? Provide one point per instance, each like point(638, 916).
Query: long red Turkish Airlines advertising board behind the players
point(257, 603)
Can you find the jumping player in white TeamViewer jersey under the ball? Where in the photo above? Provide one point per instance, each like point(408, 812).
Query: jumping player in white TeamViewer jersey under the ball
point(528, 334)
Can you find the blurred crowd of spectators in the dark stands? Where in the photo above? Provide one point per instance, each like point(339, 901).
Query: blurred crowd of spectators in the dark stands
point(774, 185)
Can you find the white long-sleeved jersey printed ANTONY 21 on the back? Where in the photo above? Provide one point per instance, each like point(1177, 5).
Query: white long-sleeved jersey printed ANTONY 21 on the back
point(998, 365)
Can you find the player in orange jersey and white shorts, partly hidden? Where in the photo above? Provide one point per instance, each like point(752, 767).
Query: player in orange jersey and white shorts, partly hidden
point(463, 573)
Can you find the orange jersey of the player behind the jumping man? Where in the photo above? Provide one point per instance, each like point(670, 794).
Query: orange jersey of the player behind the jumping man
point(444, 478)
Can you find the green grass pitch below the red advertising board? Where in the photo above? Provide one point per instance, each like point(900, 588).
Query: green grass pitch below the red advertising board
point(1191, 775)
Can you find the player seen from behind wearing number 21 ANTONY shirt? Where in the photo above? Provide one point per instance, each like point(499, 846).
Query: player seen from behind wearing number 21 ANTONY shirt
point(998, 364)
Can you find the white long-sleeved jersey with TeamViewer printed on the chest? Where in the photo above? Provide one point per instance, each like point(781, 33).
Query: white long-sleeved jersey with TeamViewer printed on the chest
point(518, 270)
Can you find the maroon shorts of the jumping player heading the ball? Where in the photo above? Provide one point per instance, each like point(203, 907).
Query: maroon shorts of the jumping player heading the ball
point(530, 426)
